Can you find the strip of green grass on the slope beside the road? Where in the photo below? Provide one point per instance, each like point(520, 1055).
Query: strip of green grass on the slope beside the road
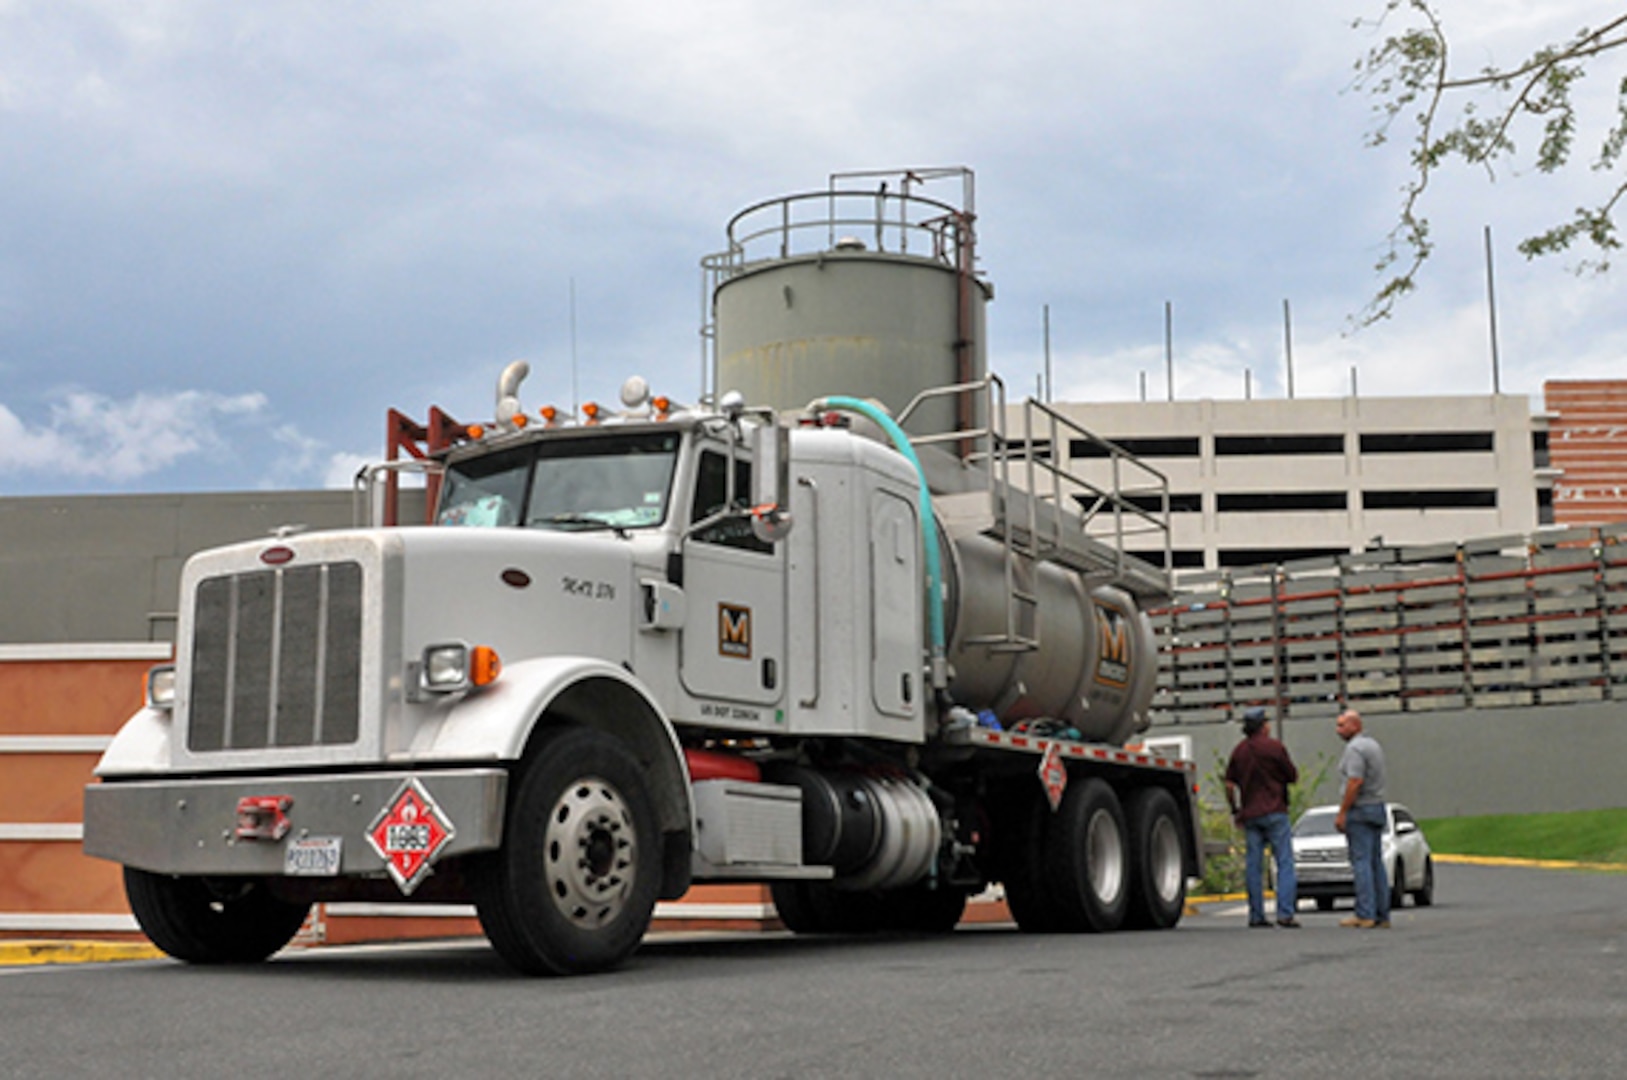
point(1577, 837)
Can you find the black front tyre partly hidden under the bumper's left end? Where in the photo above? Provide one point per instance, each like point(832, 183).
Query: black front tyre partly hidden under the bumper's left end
point(212, 921)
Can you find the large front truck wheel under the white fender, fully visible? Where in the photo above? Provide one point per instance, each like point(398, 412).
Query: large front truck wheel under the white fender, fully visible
point(575, 884)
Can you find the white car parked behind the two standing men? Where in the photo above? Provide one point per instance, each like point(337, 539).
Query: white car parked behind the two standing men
point(1322, 861)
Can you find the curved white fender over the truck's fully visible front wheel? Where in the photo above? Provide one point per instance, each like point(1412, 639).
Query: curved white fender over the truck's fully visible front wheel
point(500, 721)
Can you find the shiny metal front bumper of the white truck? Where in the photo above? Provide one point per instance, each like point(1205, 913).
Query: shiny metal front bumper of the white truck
point(194, 827)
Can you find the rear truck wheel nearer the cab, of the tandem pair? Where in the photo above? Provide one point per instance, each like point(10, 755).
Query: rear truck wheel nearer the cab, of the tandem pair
point(1088, 858)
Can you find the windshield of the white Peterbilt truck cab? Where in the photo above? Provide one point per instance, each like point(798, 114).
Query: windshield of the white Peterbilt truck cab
point(572, 484)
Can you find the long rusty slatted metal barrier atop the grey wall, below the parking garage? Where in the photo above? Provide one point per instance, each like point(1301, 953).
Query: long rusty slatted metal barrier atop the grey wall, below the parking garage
point(1486, 624)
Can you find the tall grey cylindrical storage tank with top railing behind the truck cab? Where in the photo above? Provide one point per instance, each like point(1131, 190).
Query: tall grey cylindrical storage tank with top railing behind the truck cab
point(870, 294)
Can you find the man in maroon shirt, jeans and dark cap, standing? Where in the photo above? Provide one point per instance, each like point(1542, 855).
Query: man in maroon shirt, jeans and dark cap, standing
point(1257, 786)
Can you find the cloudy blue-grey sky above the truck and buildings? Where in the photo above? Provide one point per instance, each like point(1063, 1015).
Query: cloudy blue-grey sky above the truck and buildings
point(235, 235)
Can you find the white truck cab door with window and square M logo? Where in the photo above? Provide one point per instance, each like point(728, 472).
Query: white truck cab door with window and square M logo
point(735, 590)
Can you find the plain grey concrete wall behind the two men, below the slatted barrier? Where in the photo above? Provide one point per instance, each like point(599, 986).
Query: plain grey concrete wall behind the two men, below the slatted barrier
point(1457, 764)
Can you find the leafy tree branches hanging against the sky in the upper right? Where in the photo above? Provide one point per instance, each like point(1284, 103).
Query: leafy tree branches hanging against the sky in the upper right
point(1410, 82)
